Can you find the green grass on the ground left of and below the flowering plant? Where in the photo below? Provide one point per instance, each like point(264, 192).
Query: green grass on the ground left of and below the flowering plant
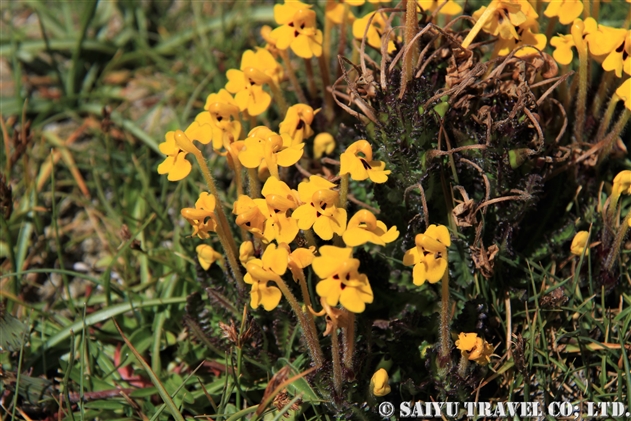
point(126, 304)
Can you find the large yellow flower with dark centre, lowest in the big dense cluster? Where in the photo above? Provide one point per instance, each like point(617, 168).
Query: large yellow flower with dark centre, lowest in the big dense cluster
point(341, 281)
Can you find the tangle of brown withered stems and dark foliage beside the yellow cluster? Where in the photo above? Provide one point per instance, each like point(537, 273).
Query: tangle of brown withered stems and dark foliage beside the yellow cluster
point(484, 140)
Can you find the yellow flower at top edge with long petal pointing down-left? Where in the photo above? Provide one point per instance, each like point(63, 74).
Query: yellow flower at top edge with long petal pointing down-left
point(500, 18)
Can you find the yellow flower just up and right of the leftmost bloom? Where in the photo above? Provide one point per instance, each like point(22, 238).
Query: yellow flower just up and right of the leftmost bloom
point(224, 118)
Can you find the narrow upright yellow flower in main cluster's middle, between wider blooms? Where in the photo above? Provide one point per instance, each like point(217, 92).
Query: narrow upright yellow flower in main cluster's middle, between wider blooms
point(279, 199)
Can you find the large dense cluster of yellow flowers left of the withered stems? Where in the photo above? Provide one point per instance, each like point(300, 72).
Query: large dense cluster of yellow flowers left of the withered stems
point(270, 214)
